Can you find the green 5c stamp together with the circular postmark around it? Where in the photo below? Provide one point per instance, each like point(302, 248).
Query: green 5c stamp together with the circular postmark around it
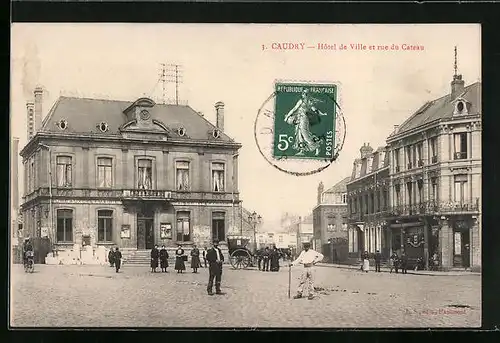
point(300, 128)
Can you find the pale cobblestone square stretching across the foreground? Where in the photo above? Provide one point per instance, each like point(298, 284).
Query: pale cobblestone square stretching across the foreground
point(95, 296)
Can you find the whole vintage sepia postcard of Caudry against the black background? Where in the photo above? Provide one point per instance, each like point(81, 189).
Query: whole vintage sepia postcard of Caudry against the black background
point(243, 175)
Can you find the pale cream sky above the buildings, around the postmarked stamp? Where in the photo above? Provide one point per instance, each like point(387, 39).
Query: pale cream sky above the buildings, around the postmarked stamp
point(226, 62)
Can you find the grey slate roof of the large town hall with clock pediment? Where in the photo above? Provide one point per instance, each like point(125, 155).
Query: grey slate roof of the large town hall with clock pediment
point(84, 114)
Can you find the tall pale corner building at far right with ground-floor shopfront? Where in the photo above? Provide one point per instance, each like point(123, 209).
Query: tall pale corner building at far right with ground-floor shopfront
point(435, 179)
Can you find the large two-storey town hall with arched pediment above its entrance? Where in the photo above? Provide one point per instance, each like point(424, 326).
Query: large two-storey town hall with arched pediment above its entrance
point(130, 174)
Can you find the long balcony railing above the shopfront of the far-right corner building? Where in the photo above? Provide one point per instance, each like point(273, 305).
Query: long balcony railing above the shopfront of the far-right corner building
point(434, 207)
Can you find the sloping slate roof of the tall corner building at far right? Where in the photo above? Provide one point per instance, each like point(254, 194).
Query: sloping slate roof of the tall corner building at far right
point(442, 108)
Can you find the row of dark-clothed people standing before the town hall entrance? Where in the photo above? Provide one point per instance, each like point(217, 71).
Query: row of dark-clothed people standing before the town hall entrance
point(161, 256)
